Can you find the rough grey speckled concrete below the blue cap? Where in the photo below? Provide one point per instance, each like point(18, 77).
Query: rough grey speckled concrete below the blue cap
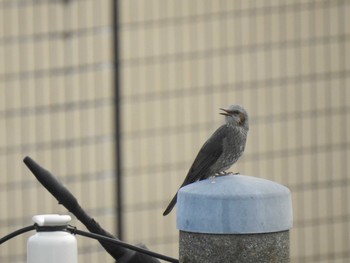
point(222, 248)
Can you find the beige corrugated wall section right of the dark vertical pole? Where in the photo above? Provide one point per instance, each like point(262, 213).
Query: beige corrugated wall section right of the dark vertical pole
point(287, 62)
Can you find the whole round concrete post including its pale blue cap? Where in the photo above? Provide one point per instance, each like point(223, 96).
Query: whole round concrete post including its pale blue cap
point(234, 218)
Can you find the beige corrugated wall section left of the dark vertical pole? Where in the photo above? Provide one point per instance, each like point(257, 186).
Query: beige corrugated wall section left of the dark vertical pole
point(56, 105)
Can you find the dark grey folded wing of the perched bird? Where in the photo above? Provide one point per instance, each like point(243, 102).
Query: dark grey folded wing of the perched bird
point(207, 155)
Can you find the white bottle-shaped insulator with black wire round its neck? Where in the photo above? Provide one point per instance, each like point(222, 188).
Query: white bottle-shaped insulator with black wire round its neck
point(52, 243)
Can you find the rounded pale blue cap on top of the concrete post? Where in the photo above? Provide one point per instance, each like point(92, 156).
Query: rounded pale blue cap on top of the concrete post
point(234, 204)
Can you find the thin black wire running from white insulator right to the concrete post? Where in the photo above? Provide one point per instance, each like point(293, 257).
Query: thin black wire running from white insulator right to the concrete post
point(73, 230)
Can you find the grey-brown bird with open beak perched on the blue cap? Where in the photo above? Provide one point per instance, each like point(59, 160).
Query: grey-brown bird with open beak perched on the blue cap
point(220, 151)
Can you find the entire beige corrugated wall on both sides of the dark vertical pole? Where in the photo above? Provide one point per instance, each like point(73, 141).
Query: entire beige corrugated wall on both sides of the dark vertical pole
point(287, 62)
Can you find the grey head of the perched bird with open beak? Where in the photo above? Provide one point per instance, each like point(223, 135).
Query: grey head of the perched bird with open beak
point(236, 115)
